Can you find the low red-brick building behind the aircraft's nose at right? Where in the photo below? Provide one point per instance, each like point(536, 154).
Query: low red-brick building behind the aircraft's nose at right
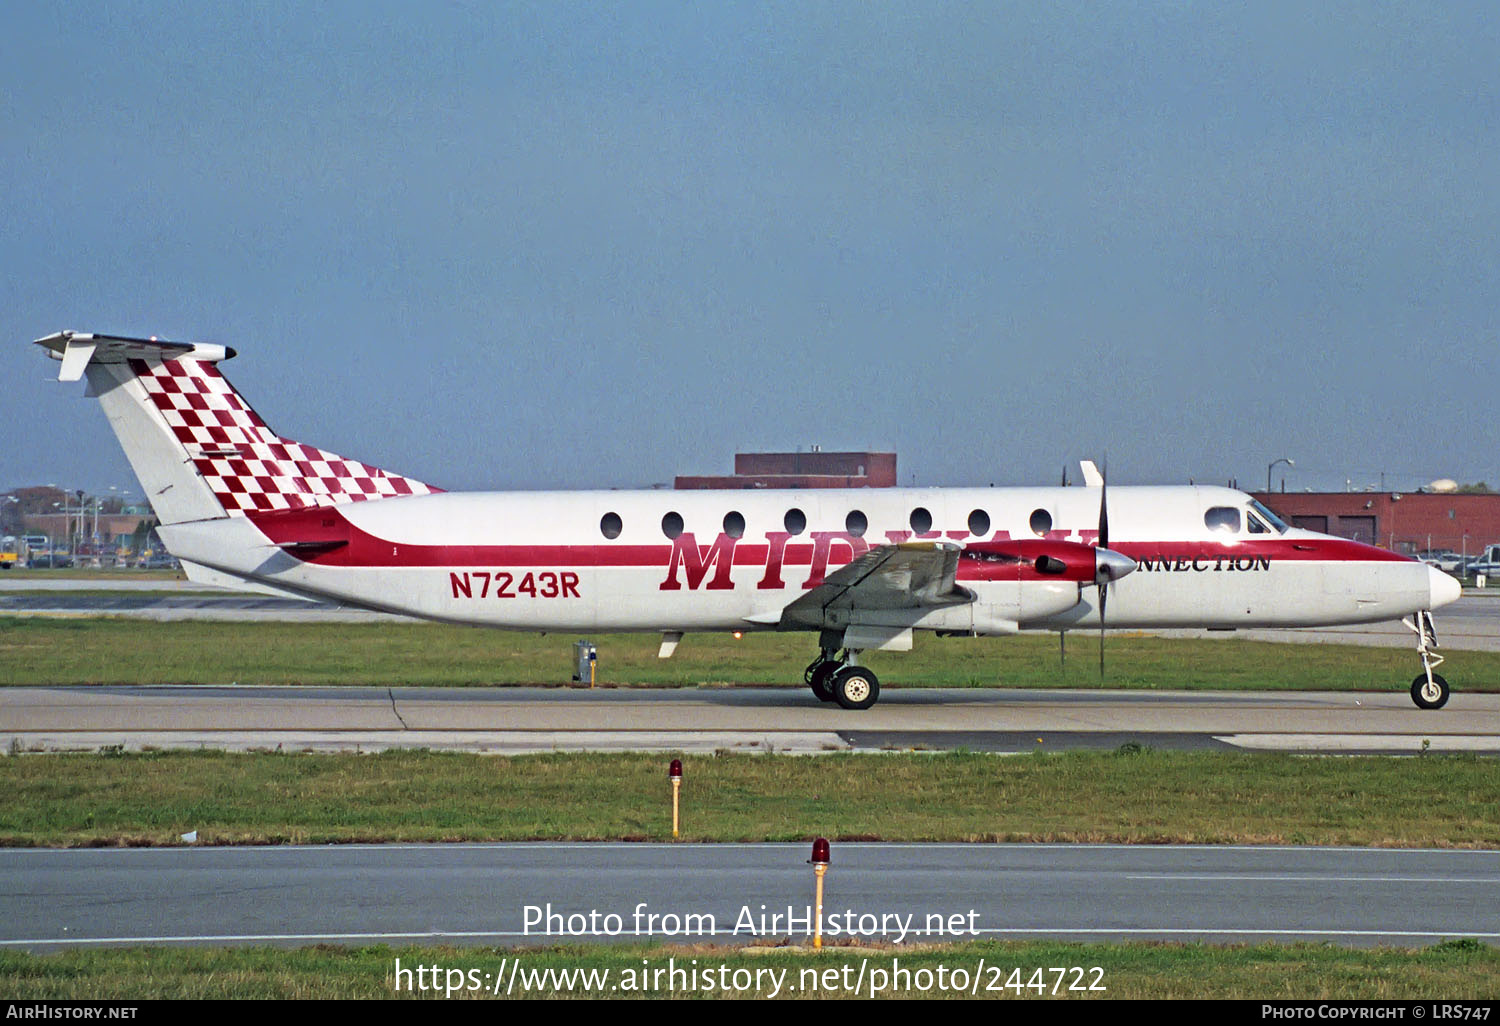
point(1399, 521)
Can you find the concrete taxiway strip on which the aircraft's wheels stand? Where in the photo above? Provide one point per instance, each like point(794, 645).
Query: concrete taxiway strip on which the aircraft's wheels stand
point(748, 719)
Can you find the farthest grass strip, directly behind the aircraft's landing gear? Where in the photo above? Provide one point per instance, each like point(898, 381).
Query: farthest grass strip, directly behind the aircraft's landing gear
point(101, 650)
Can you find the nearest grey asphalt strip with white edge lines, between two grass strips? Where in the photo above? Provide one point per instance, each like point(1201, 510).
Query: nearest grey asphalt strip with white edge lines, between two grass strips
point(728, 893)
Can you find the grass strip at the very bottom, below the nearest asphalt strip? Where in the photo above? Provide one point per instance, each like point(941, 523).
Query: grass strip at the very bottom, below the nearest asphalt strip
point(1457, 970)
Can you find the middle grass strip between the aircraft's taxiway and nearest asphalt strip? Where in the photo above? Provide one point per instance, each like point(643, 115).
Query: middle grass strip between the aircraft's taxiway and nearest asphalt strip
point(1145, 797)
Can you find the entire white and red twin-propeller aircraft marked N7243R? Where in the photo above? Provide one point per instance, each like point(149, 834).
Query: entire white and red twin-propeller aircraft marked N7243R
point(245, 508)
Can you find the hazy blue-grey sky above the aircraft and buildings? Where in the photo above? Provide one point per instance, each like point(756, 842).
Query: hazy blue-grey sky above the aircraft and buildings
point(563, 245)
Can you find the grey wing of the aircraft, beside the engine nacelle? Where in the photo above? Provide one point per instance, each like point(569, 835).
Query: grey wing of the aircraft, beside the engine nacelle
point(916, 575)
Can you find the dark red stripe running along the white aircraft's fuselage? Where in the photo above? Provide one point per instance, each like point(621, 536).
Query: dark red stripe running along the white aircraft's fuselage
point(322, 526)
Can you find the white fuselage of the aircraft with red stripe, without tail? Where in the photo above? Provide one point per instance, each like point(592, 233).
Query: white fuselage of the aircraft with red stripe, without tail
point(542, 560)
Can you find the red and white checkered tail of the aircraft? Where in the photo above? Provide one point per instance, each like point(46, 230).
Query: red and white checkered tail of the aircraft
point(200, 451)
